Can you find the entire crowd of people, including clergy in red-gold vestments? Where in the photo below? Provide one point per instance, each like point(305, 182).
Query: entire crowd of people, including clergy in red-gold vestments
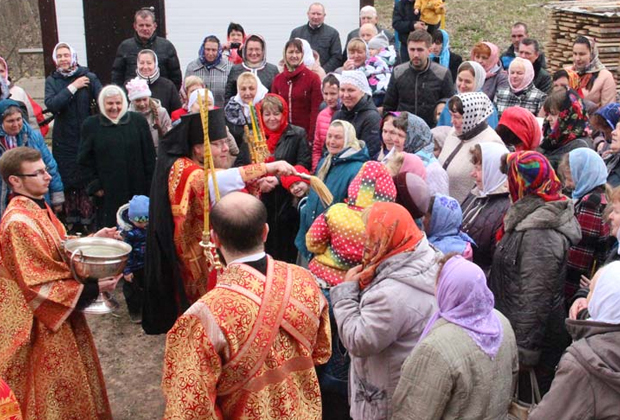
point(465, 266)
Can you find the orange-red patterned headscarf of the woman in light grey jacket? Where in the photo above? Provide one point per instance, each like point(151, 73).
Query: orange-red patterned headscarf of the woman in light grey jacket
point(390, 230)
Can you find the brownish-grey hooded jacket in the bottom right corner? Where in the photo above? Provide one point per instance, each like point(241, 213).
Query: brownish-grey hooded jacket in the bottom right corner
point(587, 382)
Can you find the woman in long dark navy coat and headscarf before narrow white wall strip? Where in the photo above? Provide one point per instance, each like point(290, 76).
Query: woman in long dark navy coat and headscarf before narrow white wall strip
point(70, 92)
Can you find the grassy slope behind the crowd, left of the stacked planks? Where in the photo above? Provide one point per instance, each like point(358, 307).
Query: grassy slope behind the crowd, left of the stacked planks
point(471, 21)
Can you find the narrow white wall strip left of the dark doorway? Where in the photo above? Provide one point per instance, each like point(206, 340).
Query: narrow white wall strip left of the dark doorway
point(70, 21)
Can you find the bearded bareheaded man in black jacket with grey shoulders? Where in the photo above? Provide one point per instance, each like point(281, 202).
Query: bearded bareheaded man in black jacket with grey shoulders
point(417, 86)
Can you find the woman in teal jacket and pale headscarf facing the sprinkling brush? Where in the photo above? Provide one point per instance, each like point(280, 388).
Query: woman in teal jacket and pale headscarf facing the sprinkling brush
point(345, 157)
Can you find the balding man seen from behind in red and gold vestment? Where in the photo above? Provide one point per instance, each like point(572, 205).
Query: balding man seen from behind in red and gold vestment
point(249, 347)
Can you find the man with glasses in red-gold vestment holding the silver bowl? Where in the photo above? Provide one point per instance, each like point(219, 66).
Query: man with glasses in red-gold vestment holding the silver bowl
point(46, 348)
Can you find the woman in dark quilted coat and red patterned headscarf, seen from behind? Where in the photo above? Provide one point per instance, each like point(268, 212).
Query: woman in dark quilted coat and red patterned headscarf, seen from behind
point(529, 265)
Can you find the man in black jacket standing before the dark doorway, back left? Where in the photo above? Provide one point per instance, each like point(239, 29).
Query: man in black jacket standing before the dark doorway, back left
point(124, 67)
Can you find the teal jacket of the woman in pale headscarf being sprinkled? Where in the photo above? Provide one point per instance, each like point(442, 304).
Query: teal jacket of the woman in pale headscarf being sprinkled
point(344, 167)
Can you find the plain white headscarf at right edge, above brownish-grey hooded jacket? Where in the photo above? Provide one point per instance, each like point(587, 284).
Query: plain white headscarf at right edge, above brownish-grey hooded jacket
point(604, 305)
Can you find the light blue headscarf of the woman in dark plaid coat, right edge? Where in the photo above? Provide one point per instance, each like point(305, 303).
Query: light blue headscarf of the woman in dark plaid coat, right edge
point(587, 169)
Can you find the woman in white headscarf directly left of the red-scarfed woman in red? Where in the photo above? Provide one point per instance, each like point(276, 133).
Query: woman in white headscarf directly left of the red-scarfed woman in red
point(249, 91)
